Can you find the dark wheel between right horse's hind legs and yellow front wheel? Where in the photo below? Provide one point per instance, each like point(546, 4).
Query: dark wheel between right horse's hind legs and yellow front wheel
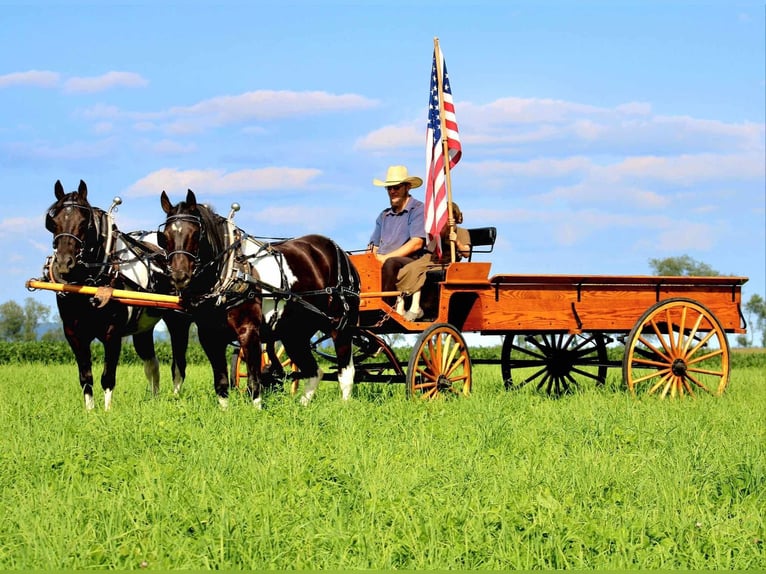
point(374, 360)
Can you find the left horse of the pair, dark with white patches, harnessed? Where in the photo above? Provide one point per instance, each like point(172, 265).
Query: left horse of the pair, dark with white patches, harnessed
point(90, 250)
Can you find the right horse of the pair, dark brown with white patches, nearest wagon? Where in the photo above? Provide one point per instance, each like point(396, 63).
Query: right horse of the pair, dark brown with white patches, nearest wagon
point(240, 289)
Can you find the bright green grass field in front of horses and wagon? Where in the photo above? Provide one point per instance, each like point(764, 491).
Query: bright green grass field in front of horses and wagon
point(595, 480)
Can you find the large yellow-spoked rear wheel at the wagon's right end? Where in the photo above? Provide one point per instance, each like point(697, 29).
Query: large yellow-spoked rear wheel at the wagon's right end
point(677, 348)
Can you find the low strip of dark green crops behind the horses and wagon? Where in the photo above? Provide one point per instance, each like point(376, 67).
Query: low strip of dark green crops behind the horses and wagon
point(58, 352)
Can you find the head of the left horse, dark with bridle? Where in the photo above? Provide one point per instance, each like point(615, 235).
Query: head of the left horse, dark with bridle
point(71, 220)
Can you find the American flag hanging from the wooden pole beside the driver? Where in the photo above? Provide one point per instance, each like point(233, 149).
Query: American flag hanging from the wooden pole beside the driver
point(436, 187)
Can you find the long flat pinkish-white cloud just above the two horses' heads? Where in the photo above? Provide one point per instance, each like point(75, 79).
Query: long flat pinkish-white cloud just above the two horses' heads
point(217, 182)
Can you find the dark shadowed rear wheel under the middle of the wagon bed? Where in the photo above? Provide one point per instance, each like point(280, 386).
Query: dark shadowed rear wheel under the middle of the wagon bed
point(555, 362)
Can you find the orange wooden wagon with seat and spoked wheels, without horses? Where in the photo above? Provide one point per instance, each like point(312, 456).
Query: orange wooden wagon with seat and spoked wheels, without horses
point(557, 331)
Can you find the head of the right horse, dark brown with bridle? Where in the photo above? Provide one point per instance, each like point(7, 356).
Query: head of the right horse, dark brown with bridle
point(180, 237)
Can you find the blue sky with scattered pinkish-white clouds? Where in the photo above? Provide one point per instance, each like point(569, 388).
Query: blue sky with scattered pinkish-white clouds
point(596, 135)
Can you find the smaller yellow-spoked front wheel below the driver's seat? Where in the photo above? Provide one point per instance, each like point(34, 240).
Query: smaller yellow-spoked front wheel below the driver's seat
point(439, 363)
